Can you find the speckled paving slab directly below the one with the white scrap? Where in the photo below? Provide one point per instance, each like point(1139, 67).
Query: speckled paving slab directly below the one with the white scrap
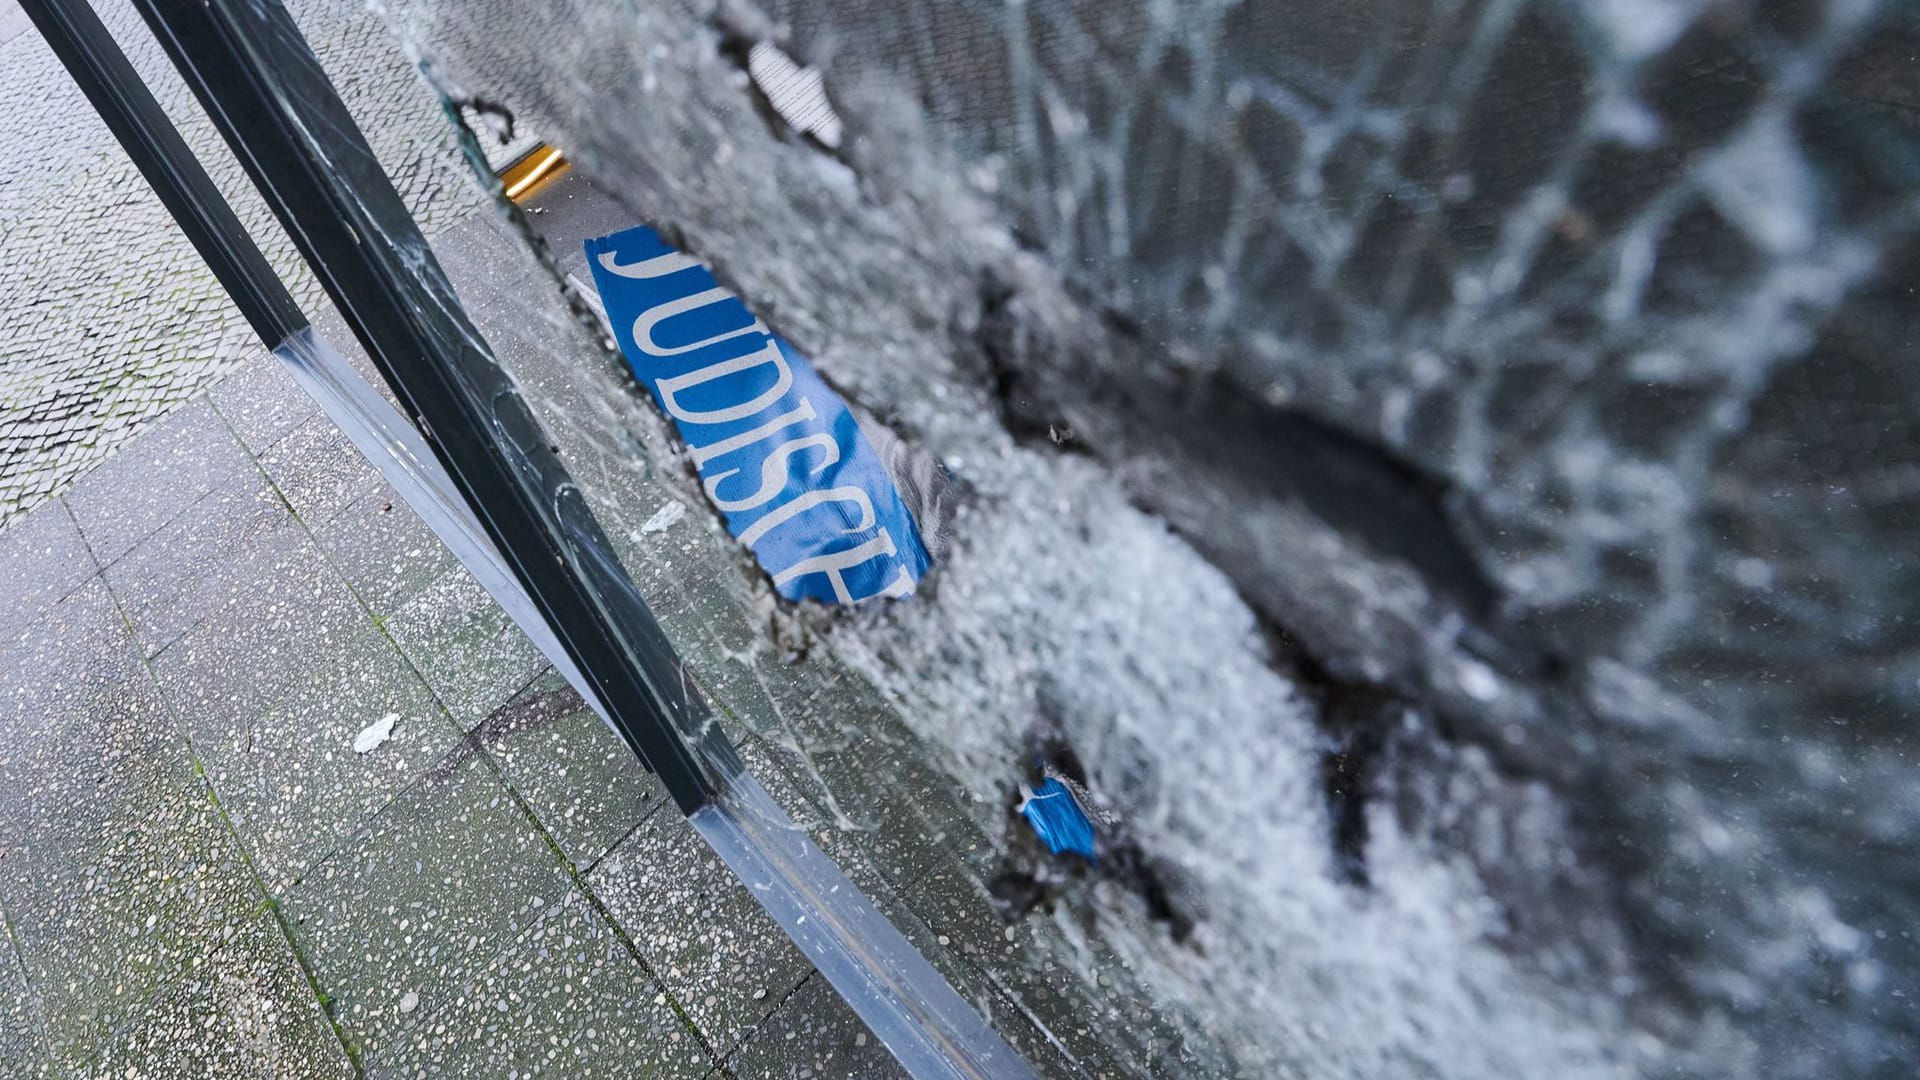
point(421, 902)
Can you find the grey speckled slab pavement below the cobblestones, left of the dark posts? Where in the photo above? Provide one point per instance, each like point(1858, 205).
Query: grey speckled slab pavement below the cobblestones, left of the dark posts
point(203, 875)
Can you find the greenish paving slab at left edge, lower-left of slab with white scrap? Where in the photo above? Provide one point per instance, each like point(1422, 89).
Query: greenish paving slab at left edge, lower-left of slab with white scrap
point(124, 871)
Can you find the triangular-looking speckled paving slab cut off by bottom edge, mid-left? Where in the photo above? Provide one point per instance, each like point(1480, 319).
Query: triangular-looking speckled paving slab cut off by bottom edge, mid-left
point(567, 1000)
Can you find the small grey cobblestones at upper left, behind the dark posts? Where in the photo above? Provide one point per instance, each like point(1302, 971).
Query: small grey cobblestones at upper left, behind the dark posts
point(110, 318)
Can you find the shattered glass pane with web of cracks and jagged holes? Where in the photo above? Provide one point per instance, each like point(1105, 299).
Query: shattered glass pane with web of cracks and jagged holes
point(1435, 485)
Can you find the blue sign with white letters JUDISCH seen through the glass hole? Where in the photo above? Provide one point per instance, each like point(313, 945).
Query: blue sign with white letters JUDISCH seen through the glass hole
point(777, 451)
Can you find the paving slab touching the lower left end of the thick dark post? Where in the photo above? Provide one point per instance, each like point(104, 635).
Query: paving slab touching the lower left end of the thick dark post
point(579, 777)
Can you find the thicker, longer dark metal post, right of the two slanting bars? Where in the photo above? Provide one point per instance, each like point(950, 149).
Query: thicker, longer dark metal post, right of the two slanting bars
point(279, 112)
